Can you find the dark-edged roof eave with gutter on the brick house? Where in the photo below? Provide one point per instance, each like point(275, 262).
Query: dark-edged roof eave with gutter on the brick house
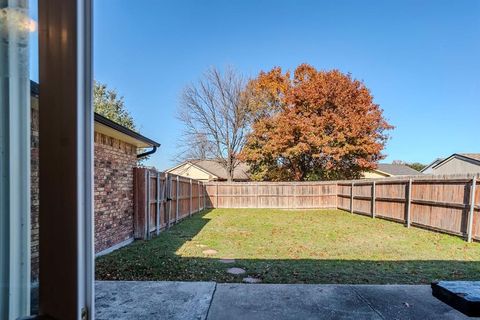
point(111, 128)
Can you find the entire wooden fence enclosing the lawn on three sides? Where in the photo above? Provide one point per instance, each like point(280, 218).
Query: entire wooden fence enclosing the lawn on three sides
point(446, 204)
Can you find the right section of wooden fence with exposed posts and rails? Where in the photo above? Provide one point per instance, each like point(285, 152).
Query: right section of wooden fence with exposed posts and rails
point(446, 204)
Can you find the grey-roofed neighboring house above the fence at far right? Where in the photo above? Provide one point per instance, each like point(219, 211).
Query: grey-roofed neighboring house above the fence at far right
point(457, 163)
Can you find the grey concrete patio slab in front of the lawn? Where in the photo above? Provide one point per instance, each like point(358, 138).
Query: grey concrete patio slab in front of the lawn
point(208, 300)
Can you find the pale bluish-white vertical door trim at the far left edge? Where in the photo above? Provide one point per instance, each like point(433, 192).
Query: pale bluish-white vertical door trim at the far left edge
point(14, 164)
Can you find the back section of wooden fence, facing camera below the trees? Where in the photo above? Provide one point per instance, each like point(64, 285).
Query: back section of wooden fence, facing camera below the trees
point(287, 195)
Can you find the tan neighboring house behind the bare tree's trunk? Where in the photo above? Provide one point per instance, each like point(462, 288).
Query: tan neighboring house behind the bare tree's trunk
point(209, 170)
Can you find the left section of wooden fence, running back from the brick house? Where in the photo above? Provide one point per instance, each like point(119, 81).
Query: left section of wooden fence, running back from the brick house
point(162, 199)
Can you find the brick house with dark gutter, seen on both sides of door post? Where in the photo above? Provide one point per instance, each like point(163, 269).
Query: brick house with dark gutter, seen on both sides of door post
point(116, 152)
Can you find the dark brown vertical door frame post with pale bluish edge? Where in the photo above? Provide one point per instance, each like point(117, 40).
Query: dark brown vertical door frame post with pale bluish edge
point(66, 218)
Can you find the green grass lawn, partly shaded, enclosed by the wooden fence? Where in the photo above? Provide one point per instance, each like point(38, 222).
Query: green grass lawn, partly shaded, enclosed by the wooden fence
point(280, 246)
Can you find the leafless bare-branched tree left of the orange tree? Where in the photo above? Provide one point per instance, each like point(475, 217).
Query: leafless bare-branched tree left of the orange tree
point(215, 118)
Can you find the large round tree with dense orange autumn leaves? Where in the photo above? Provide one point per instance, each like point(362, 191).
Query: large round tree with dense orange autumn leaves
point(315, 125)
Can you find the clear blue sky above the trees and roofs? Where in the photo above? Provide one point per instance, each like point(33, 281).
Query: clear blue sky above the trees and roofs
point(421, 59)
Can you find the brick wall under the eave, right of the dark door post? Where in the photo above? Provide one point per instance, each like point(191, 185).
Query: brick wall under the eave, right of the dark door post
point(114, 162)
